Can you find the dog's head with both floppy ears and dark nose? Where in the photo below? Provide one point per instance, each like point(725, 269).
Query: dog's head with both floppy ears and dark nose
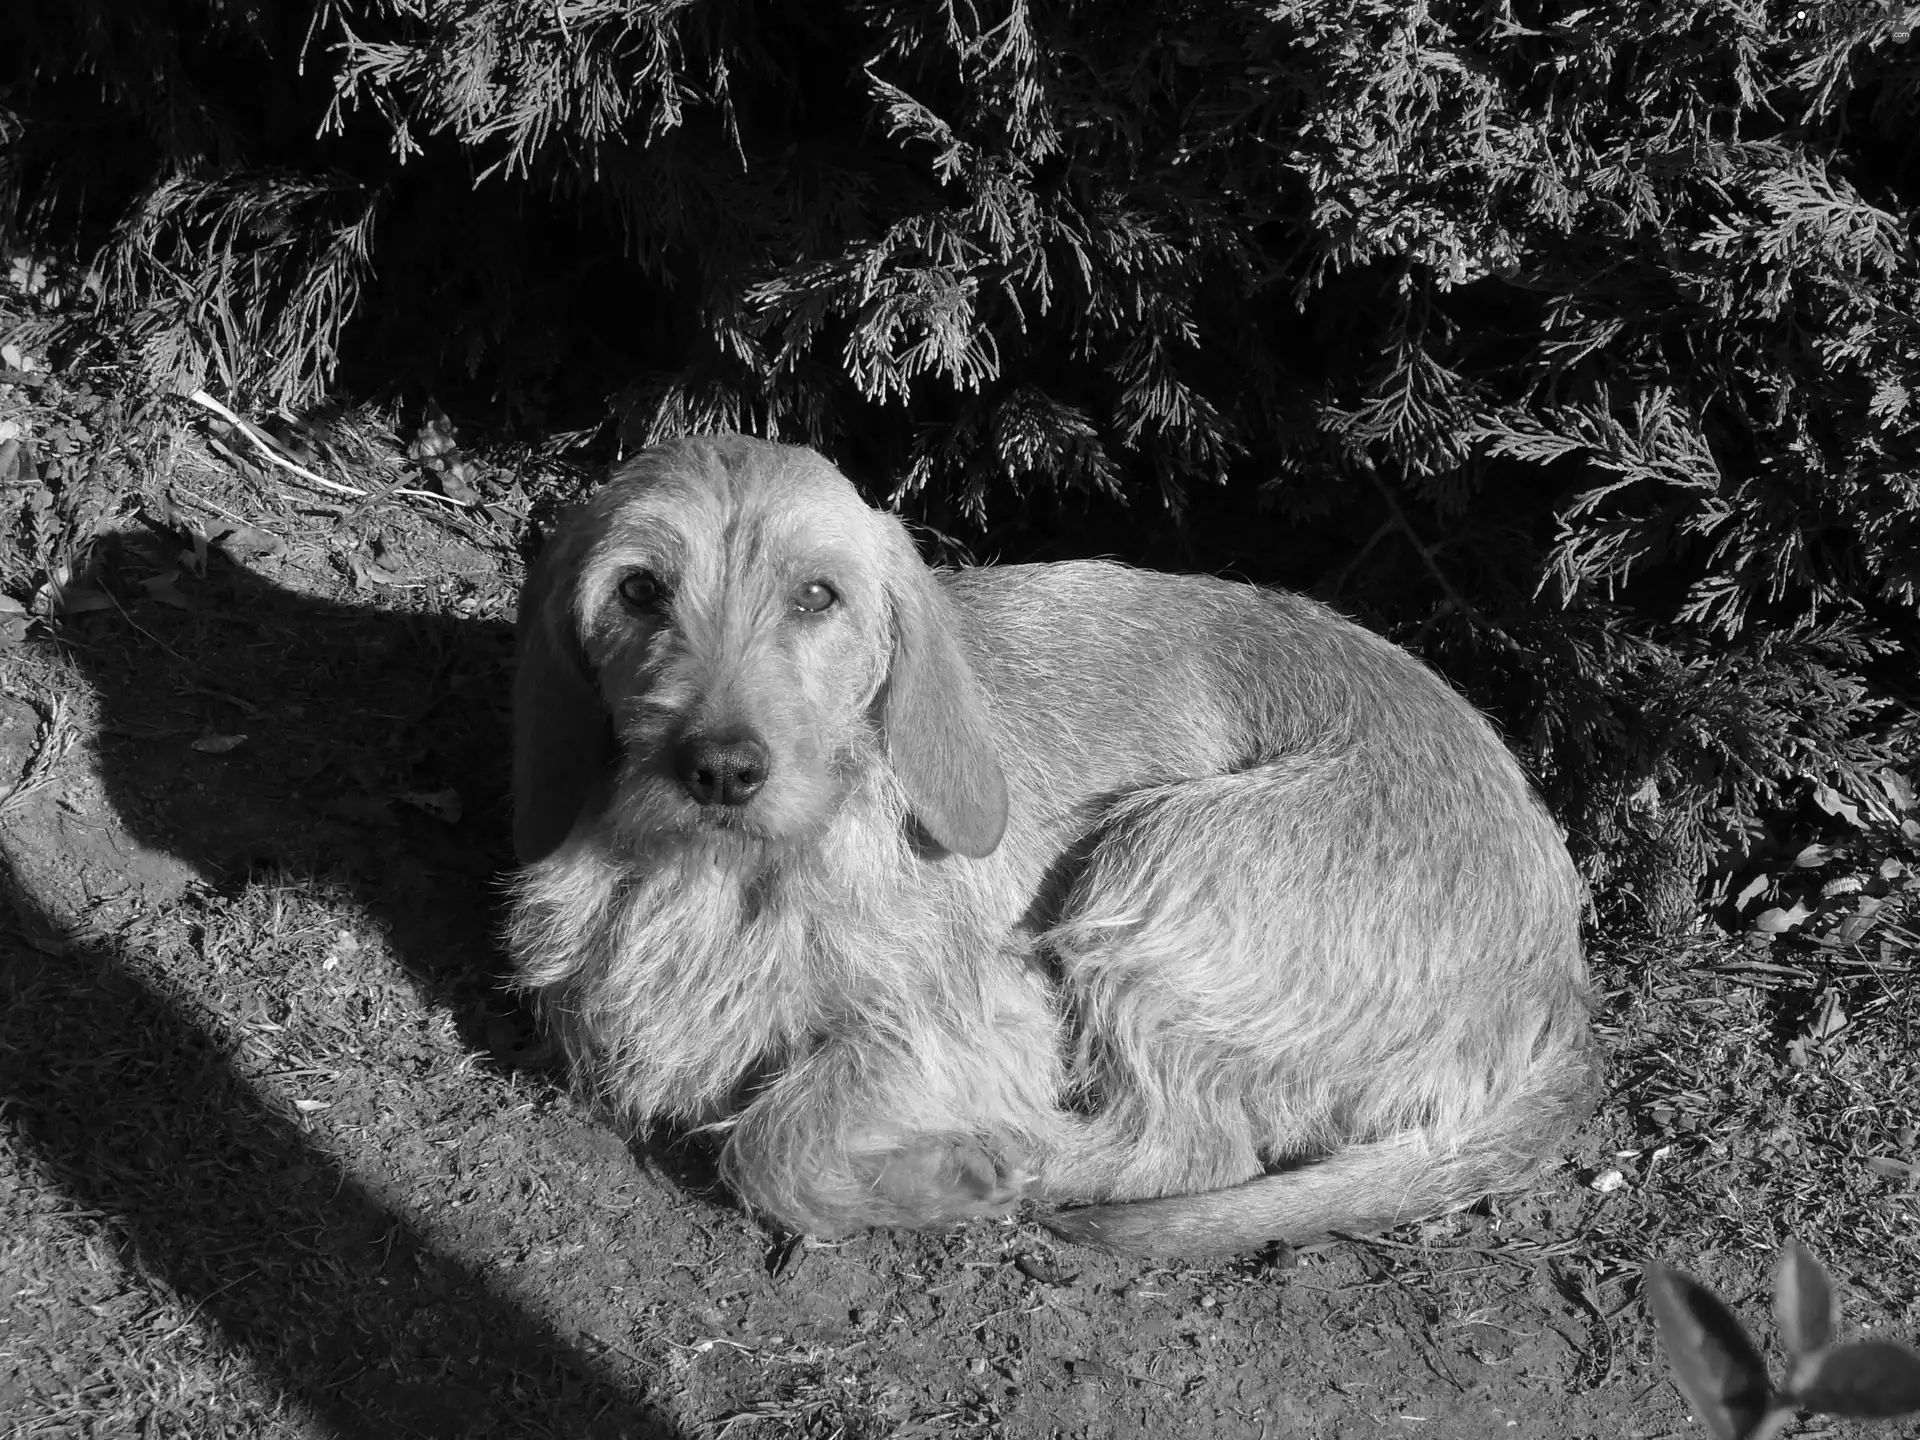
point(721, 638)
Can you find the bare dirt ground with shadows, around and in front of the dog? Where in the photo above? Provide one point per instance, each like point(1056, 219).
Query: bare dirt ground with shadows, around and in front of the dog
point(281, 1159)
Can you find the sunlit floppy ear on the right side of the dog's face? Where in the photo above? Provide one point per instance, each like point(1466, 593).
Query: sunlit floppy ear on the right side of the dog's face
point(940, 734)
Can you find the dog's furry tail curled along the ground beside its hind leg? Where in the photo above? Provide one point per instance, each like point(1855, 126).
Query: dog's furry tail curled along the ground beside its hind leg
point(1356, 1189)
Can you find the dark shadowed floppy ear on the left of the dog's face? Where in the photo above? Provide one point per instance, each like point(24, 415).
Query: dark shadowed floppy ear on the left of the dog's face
point(562, 732)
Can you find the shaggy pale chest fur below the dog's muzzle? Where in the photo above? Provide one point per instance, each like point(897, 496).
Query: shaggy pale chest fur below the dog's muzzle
point(677, 959)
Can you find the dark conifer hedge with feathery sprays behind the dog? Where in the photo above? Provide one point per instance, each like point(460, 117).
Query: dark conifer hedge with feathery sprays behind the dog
point(1573, 345)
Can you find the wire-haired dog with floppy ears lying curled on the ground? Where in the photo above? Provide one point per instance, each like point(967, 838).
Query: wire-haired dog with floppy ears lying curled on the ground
point(1180, 901)
